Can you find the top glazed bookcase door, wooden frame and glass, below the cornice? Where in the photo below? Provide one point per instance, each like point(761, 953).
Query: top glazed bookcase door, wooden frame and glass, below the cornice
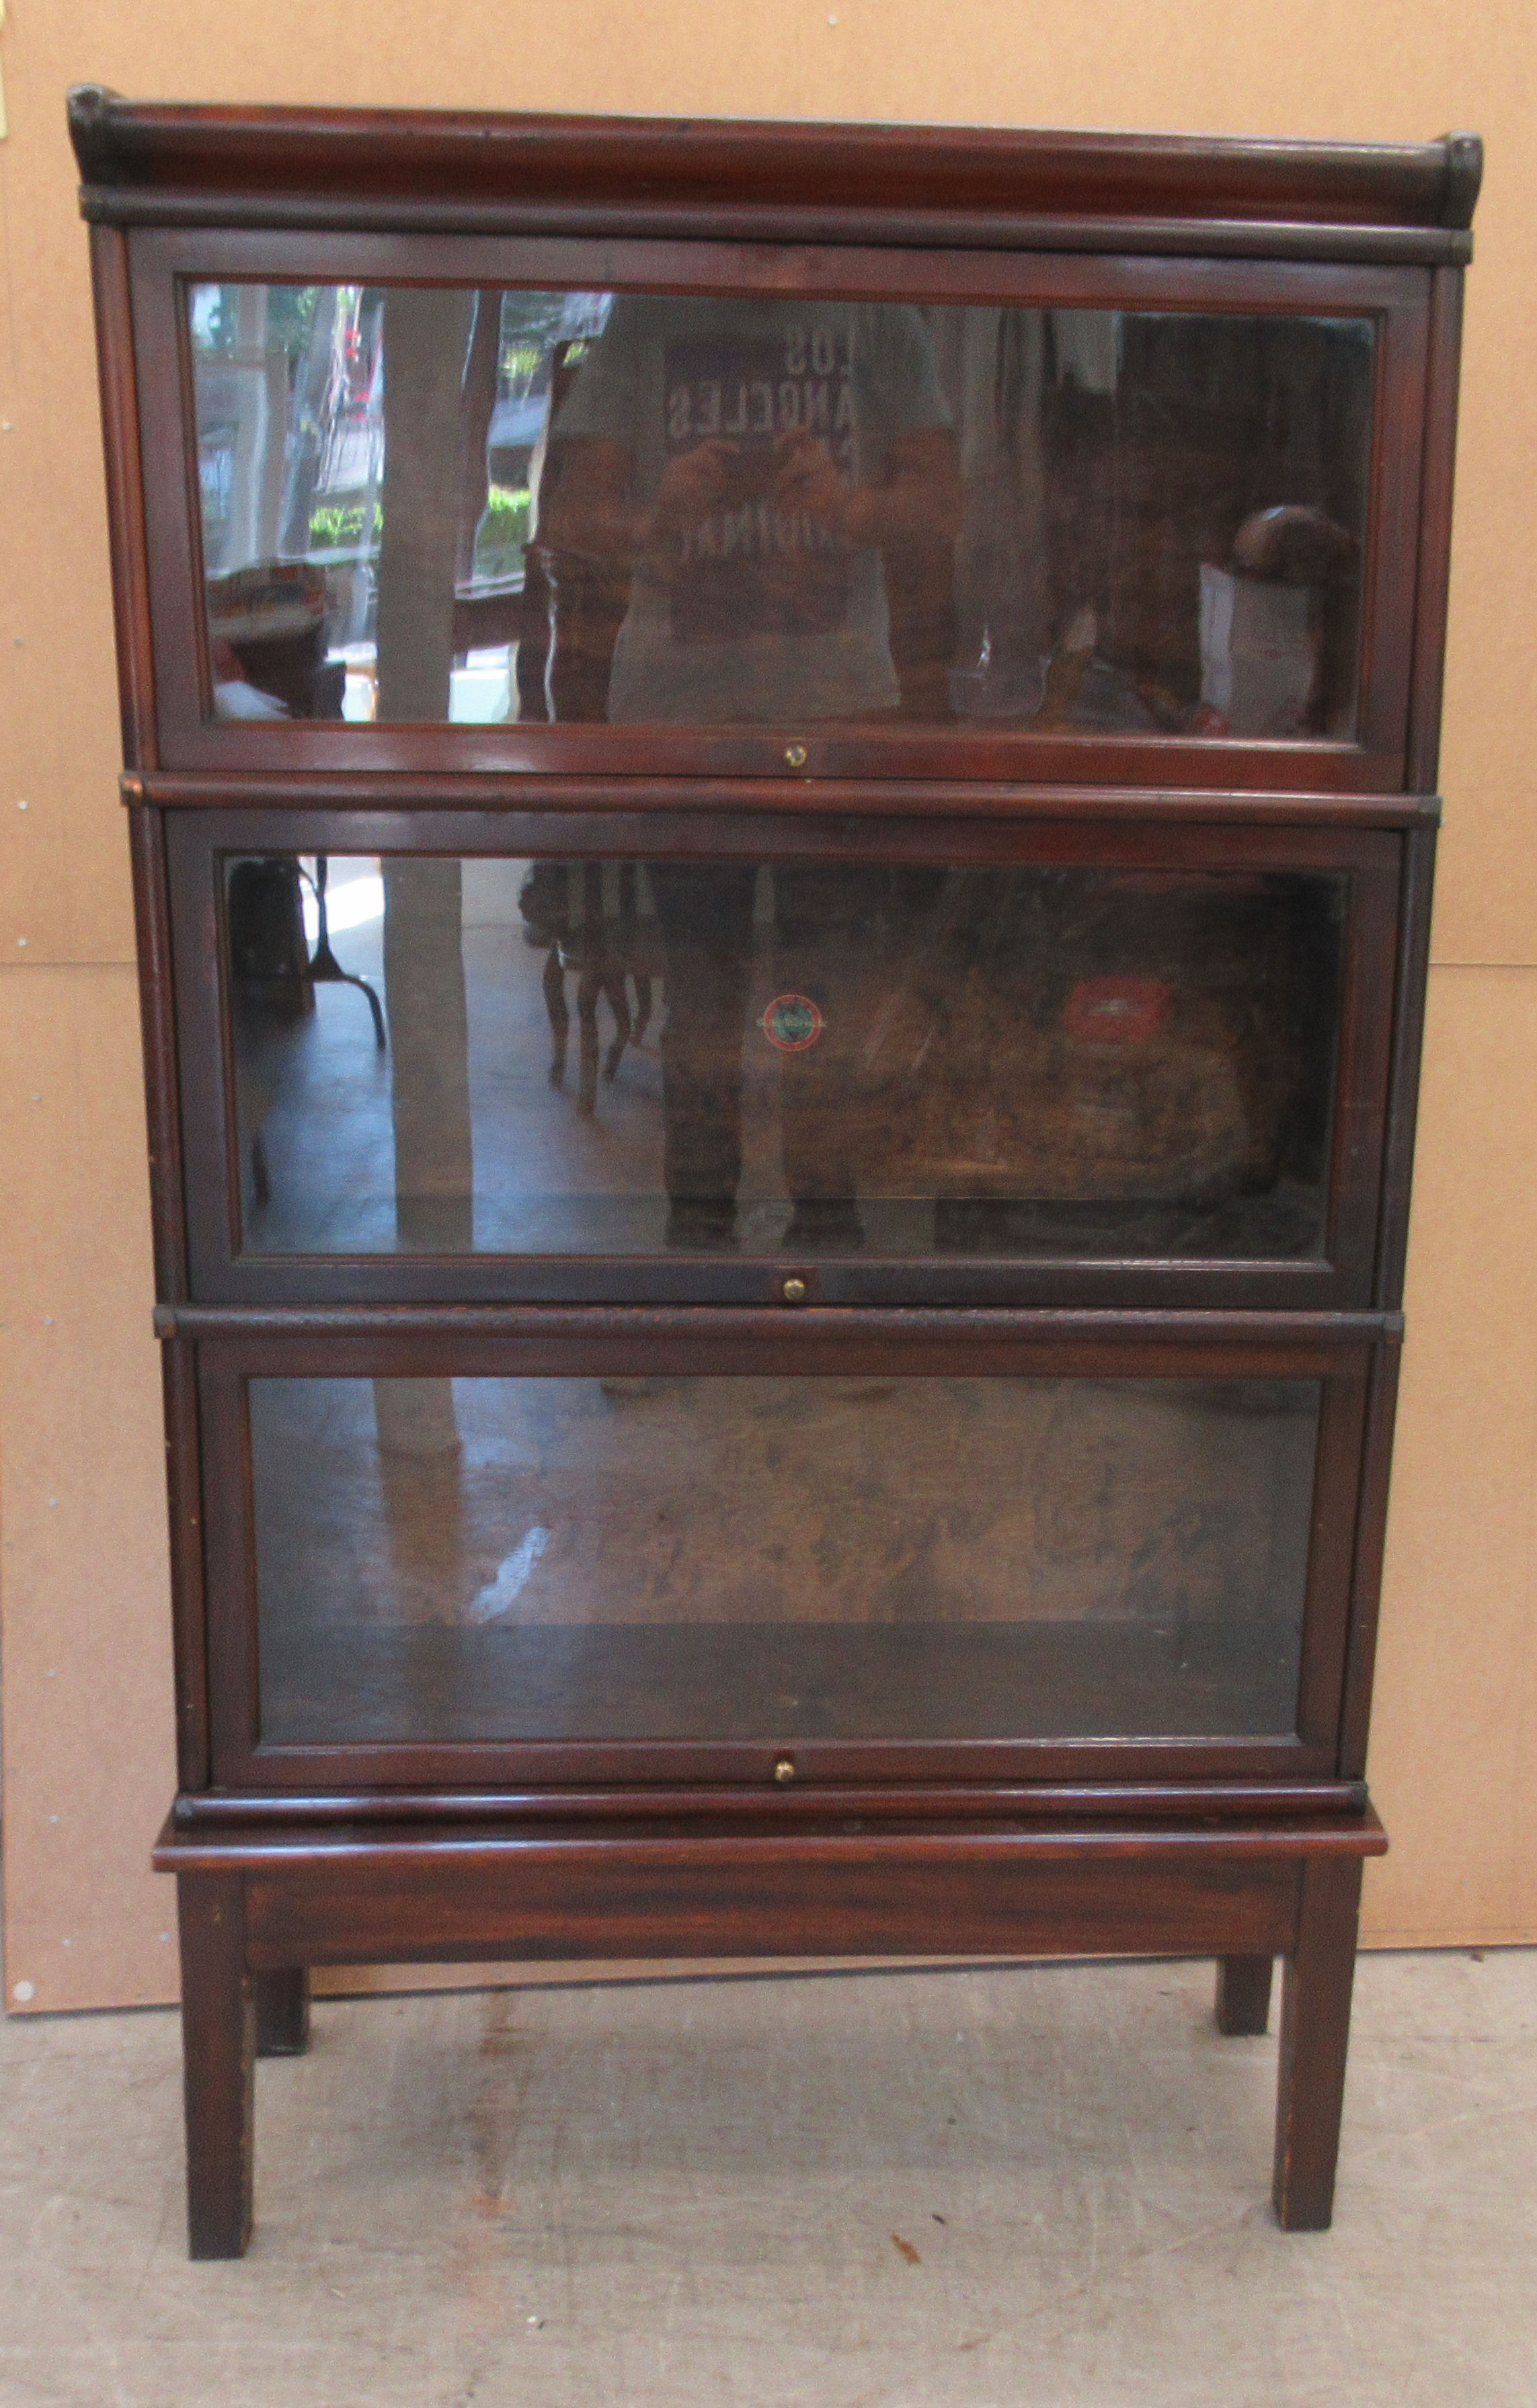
point(630, 507)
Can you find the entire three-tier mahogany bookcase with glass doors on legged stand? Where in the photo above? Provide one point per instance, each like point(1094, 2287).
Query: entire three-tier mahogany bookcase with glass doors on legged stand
point(926, 649)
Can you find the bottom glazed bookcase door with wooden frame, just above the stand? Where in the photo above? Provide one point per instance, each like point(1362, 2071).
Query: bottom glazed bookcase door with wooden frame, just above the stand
point(695, 1547)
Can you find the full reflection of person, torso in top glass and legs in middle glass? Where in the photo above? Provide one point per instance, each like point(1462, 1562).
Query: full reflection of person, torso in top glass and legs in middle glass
point(760, 468)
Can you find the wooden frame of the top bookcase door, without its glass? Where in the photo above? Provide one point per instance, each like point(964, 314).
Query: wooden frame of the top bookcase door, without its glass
point(794, 752)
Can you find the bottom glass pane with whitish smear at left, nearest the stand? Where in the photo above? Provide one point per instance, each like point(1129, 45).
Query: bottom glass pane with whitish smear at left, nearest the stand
point(782, 1559)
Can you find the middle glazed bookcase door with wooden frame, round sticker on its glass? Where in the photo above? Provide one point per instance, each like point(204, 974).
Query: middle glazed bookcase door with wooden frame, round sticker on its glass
point(683, 1058)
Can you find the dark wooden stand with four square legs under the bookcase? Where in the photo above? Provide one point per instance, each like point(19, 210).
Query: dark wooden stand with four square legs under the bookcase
point(257, 1913)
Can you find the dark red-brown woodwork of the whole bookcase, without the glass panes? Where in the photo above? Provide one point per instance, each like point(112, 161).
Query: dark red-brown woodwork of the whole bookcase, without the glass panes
point(1242, 1851)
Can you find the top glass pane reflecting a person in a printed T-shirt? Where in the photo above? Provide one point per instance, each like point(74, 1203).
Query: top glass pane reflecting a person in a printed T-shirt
point(444, 504)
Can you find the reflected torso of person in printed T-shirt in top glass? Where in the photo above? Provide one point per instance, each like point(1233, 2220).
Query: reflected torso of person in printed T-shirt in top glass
point(760, 468)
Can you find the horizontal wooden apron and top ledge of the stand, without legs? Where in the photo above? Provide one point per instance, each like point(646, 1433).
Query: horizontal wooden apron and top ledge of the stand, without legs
point(623, 1891)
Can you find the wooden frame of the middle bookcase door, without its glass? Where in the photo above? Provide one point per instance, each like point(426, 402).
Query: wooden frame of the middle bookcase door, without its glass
point(1018, 834)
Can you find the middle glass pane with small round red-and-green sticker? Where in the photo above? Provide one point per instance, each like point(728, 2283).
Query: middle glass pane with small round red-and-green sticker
point(613, 1058)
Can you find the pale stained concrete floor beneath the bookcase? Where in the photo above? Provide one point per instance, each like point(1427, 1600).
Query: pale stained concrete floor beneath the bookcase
point(977, 2188)
